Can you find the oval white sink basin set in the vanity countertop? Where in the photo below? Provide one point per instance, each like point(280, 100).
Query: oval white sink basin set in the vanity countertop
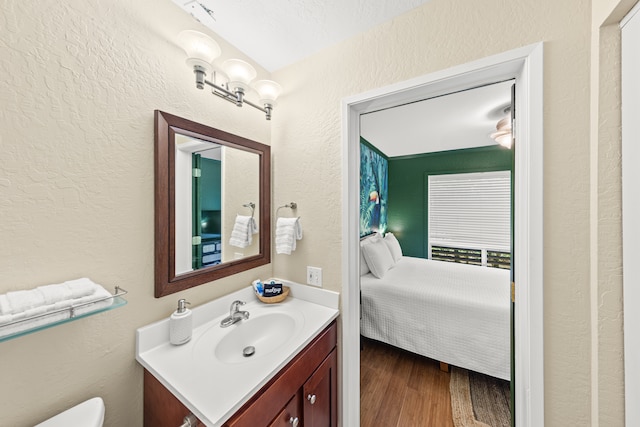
point(249, 340)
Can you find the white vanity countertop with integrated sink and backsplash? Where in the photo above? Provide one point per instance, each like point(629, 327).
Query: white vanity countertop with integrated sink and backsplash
point(209, 374)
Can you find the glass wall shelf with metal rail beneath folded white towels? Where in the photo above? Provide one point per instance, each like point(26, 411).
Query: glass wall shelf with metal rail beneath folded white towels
point(59, 317)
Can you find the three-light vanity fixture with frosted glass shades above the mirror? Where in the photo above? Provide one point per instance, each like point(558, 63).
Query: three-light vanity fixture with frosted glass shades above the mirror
point(202, 50)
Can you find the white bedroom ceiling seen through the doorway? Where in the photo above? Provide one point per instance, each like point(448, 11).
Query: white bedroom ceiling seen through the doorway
point(451, 122)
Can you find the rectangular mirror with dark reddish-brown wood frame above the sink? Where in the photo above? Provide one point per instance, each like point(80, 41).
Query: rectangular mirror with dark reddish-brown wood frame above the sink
point(212, 204)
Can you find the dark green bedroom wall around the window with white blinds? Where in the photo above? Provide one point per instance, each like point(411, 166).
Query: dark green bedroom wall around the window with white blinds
point(407, 203)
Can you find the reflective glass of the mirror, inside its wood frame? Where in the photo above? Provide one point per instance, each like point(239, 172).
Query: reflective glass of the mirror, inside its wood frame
point(217, 216)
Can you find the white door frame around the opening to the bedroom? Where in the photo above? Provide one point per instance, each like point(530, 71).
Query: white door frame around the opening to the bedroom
point(525, 65)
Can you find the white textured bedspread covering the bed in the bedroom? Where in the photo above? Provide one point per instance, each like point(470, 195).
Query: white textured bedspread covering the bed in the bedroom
point(454, 313)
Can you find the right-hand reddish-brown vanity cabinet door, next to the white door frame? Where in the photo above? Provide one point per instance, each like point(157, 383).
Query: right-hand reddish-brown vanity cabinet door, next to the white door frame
point(319, 395)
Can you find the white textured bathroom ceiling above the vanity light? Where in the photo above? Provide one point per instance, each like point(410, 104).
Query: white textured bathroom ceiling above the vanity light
point(276, 33)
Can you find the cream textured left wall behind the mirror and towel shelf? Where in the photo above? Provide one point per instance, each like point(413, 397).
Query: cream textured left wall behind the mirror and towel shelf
point(80, 81)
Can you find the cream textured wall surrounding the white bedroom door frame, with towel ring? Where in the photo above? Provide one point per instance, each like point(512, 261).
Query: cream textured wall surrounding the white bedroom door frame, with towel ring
point(441, 34)
